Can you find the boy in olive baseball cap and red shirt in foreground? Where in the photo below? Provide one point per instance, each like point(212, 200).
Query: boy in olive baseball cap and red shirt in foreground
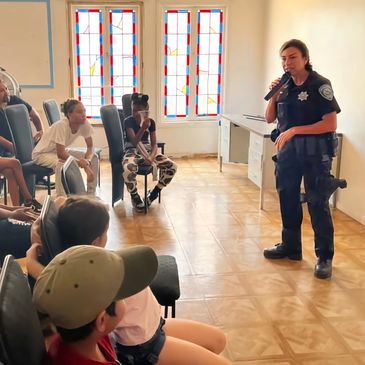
point(82, 291)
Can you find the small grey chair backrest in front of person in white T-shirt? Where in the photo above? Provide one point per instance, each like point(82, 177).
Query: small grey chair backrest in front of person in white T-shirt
point(71, 178)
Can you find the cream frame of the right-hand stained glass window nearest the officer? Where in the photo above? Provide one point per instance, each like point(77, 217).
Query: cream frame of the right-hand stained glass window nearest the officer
point(192, 117)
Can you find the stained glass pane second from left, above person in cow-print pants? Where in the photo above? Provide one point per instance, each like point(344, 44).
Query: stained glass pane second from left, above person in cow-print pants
point(123, 59)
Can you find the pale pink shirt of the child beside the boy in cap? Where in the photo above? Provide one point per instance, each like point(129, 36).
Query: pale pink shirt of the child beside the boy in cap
point(140, 321)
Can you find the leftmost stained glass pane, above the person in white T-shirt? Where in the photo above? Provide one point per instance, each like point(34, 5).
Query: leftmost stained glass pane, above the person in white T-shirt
point(89, 59)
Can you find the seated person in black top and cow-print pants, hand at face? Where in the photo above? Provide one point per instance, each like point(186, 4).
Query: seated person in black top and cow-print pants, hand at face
point(141, 149)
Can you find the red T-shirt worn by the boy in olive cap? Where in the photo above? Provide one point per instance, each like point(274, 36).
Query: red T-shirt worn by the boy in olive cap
point(60, 354)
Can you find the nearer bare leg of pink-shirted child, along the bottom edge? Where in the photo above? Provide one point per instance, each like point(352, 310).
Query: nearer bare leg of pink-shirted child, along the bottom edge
point(181, 352)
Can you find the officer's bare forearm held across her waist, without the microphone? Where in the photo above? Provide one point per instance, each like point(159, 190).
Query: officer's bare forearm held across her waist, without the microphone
point(327, 124)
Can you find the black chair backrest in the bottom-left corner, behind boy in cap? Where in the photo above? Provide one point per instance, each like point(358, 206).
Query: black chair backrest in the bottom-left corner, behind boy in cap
point(21, 339)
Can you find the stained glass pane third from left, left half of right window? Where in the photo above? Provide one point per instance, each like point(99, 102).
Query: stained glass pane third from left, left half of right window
point(176, 63)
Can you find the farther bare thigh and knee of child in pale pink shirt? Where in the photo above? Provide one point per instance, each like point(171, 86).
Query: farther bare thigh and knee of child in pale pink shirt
point(209, 337)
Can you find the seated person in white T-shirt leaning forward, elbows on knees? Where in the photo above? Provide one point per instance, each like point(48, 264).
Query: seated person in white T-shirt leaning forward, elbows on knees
point(51, 151)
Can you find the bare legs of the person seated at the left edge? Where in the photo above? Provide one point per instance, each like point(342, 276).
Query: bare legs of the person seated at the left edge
point(10, 168)
